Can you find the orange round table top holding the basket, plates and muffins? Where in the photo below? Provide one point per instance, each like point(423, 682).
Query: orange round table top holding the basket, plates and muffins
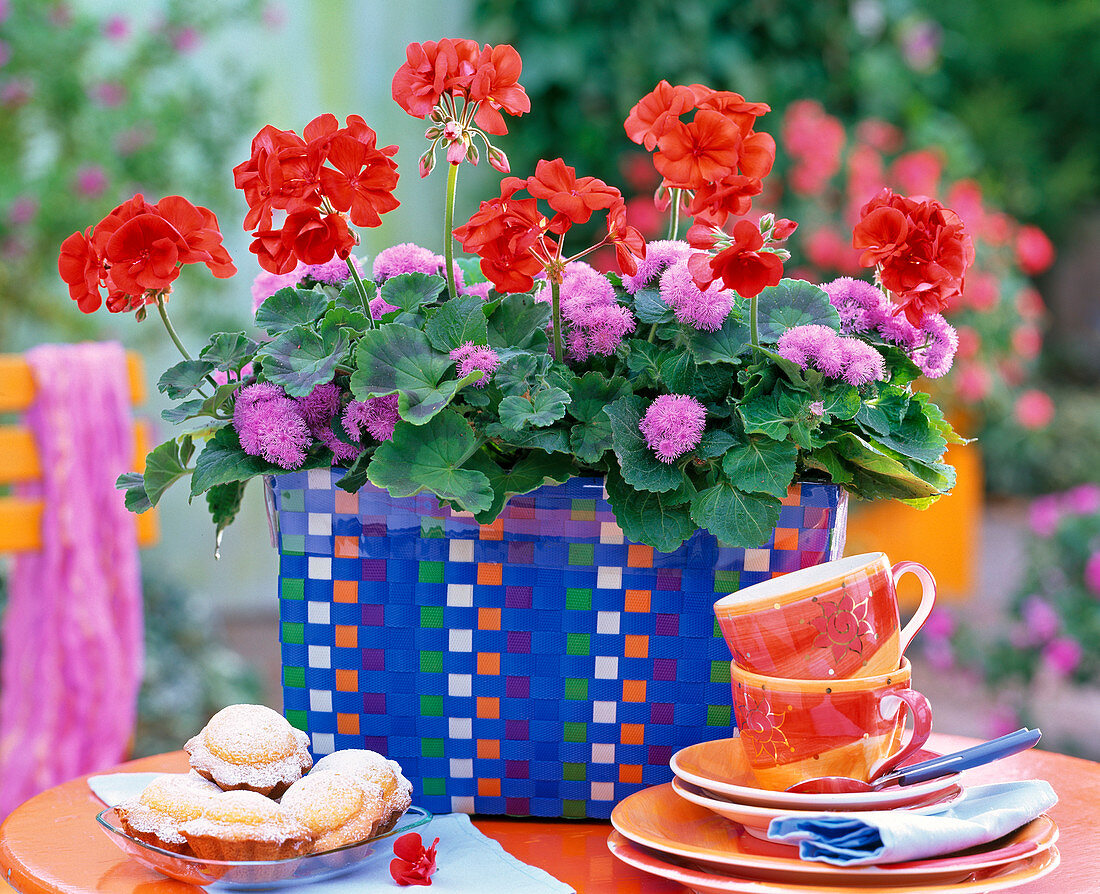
point(51, 845)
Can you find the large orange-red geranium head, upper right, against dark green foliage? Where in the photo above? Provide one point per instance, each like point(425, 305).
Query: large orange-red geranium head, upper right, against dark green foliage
point(717, 157)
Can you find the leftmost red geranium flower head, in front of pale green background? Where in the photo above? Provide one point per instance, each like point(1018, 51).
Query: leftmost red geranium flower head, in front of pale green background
point(137, 251)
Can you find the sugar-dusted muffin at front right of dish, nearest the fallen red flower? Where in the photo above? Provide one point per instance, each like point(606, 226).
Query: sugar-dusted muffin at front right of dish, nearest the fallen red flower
point(339, 809)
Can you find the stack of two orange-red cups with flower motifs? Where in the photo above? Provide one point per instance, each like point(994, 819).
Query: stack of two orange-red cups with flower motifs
point(820, 682)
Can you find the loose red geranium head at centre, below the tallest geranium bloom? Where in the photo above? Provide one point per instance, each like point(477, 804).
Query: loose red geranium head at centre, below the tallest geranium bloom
point(516, 241)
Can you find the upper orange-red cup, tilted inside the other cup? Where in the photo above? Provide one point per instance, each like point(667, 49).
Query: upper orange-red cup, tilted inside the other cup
point(833, 621)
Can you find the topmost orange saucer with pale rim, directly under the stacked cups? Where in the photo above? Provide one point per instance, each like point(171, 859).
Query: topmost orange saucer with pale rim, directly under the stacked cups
point(721, 767)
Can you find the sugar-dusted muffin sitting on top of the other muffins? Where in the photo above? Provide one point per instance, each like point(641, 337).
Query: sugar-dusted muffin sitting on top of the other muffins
point(250, 747)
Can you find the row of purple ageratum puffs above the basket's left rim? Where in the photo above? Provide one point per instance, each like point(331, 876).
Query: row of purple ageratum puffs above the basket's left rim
point(282, 429)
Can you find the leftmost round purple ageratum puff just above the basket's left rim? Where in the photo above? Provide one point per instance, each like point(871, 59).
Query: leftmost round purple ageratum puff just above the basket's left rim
point(270, 425)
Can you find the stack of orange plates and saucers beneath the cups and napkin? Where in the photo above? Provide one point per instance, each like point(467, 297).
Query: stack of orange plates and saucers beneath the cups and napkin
point(708, 831)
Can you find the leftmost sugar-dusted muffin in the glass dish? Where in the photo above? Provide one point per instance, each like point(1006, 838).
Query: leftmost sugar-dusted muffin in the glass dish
point(164, 805)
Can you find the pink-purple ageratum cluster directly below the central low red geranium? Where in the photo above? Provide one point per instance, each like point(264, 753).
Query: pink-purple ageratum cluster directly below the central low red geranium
point(595, 323)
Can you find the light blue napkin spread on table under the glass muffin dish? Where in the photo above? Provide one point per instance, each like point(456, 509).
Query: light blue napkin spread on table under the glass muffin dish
point(469, 862)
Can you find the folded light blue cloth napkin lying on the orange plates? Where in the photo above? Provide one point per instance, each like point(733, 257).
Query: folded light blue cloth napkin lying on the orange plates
point(982, 814)
